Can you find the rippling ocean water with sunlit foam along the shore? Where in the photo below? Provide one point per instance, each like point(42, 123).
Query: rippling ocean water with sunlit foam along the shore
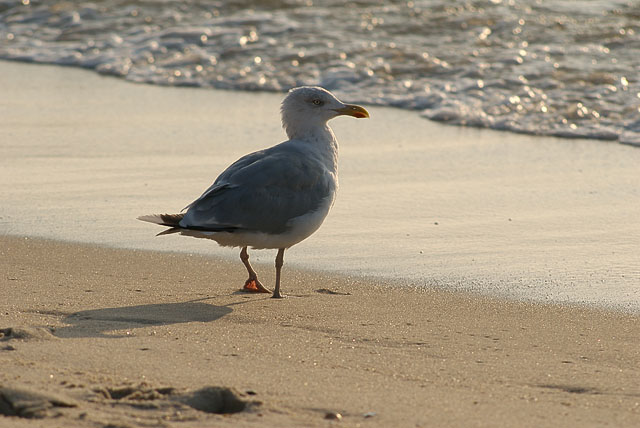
point(553, 67)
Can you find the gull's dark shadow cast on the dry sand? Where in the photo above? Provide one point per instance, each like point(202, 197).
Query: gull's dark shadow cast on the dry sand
point(97, 322)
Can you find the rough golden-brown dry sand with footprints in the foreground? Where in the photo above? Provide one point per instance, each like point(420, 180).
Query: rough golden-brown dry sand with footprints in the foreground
point(124, 338)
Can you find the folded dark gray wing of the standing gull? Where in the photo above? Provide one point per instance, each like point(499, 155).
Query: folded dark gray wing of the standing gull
point(262, 191)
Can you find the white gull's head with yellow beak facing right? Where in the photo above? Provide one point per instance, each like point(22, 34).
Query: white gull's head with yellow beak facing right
point(308, 107)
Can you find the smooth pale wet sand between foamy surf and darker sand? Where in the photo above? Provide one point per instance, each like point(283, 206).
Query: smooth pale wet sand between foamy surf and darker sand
point(420, 203)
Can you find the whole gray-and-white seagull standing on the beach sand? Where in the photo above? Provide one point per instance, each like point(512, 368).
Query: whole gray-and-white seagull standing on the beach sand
point(276, 197)
